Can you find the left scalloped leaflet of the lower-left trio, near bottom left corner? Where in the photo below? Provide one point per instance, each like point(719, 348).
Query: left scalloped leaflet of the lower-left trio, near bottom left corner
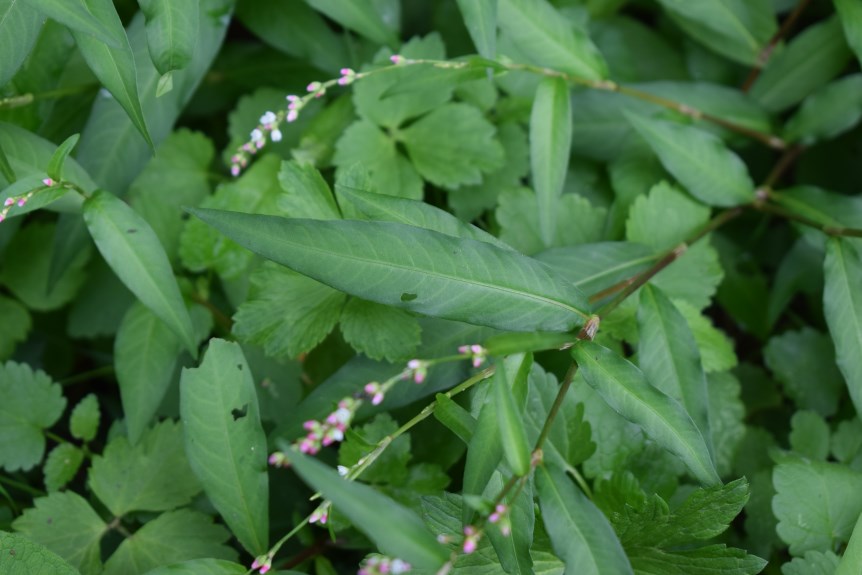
point(67, 525)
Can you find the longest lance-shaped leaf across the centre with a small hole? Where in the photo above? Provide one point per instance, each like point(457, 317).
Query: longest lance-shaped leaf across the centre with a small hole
point(413, 268)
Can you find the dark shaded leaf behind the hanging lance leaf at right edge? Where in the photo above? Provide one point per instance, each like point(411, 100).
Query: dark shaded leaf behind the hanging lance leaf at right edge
point(804, 362)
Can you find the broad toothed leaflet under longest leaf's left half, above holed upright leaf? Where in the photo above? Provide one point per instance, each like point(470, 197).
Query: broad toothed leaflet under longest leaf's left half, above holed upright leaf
point(287, 313)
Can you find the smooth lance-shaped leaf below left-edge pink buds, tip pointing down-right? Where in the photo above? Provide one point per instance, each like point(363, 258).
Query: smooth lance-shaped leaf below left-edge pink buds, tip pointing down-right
point(131, 248)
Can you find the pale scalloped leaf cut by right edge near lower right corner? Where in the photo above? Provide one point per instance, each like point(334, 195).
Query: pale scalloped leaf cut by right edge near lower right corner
point(817, 503)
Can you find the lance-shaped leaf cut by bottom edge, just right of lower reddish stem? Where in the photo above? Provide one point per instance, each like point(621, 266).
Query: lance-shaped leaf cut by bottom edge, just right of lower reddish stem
point(580, 533)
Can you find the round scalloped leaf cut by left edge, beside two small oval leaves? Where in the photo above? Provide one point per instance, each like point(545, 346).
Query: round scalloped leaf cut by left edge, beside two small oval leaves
point(31, 404)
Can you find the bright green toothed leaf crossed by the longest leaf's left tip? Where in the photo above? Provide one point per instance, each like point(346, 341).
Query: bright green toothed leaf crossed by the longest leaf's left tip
point(255, 192)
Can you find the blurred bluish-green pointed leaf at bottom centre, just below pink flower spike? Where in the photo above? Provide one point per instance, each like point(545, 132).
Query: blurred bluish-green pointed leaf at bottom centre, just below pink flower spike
point(374, 513)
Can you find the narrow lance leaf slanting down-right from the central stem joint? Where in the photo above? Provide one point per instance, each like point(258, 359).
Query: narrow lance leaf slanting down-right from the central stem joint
point(624, 387)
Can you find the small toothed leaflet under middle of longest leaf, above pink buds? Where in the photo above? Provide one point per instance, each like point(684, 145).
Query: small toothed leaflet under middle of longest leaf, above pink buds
point(380, 331)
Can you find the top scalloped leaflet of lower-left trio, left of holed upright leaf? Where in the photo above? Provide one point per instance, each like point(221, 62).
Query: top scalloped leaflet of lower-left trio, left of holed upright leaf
point(153, 475)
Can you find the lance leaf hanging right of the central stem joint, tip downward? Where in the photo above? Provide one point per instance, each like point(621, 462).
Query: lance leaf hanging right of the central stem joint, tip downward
point(669, 358)
